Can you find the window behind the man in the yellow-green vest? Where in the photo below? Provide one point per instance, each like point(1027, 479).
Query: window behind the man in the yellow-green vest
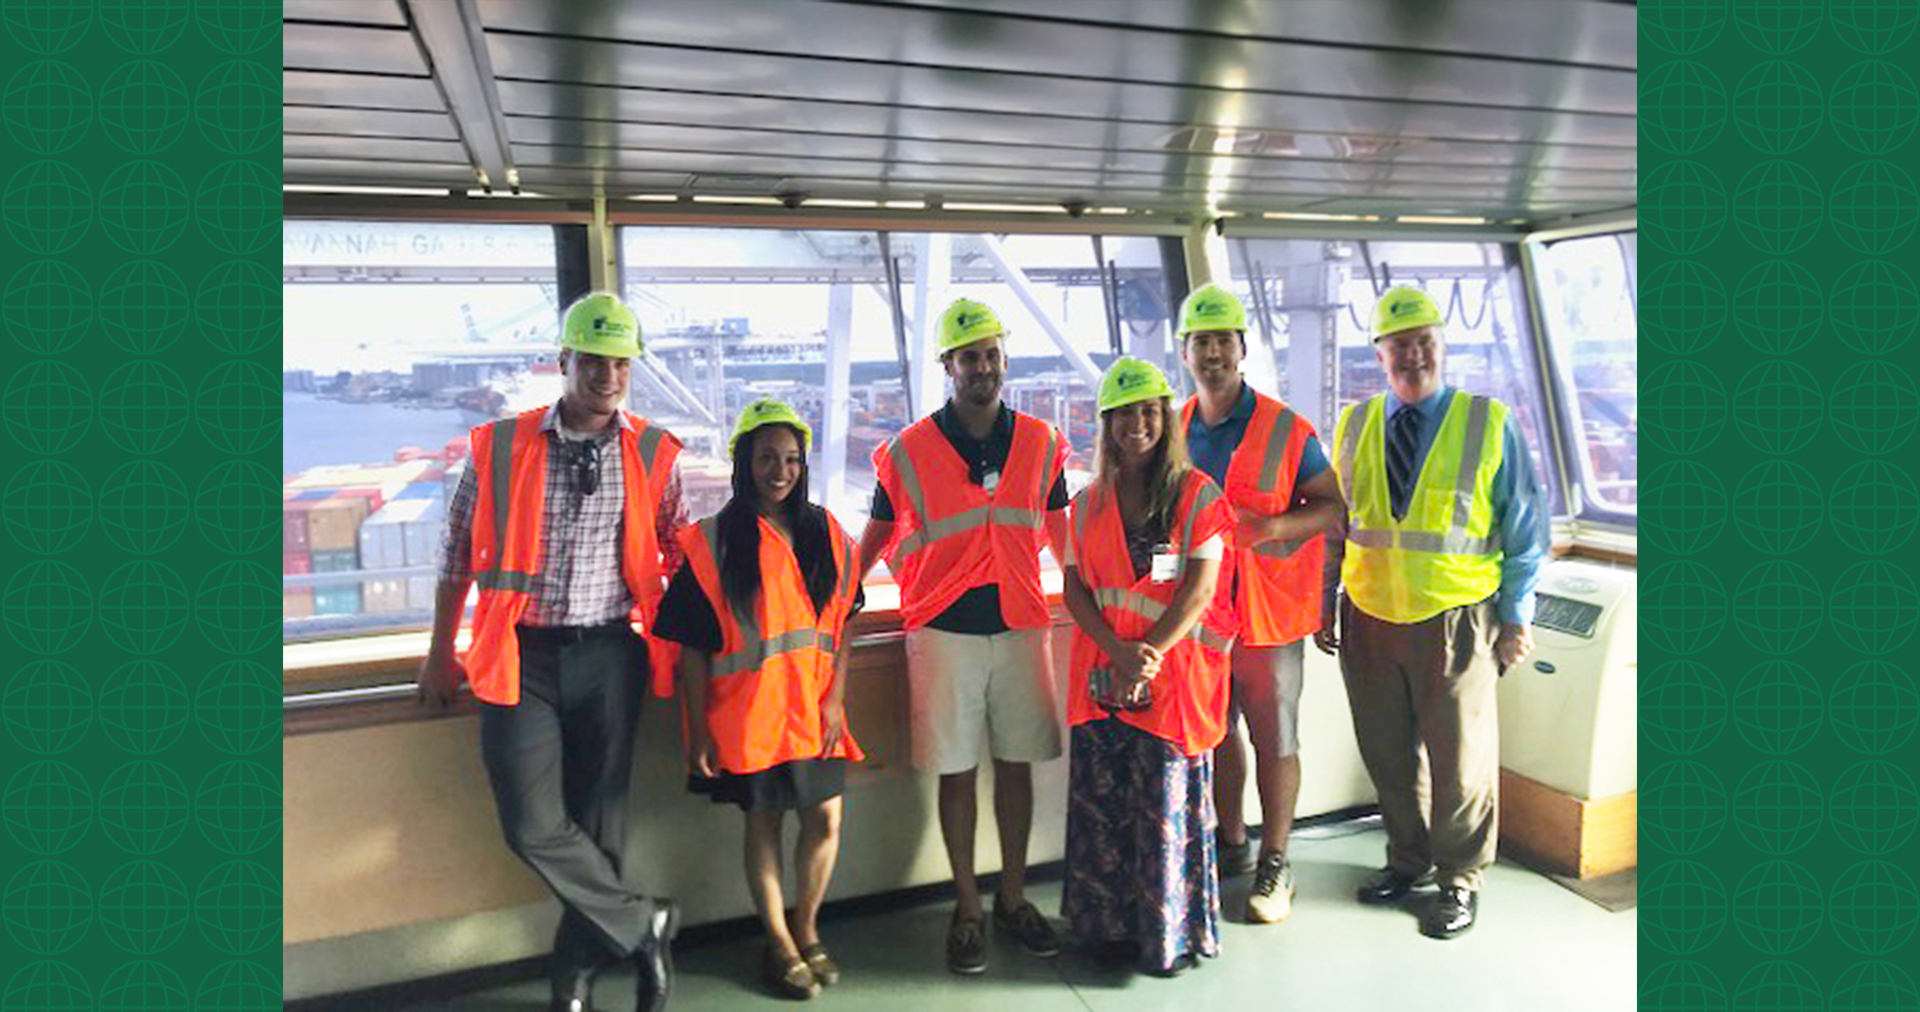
point(1310, 304)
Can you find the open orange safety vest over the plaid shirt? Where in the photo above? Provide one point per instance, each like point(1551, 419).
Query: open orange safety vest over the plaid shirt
point(510, 460)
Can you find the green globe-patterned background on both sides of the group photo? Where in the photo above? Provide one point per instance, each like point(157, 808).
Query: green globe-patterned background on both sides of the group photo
point(141, 710)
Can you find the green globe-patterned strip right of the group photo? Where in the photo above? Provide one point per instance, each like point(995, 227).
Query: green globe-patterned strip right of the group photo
point(1779, 606)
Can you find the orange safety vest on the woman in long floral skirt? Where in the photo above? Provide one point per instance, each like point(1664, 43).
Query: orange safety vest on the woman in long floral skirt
point(1191, 688)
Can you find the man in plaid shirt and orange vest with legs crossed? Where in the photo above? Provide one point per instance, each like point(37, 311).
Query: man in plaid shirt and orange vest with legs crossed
point(558, 721)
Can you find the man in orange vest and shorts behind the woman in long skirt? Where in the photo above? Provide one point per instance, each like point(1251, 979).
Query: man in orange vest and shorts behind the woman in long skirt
point(1285, 494)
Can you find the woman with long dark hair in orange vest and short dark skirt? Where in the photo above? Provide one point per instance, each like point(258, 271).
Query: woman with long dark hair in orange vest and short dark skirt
point(761, 610)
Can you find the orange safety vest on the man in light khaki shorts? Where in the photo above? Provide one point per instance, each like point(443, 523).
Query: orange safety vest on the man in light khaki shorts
point(957, 535)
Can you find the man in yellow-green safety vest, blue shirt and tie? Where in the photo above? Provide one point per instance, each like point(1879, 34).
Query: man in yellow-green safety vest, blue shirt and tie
point(1447, 533)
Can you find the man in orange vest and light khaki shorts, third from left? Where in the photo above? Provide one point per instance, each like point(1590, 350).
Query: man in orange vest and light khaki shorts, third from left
point(967, 498)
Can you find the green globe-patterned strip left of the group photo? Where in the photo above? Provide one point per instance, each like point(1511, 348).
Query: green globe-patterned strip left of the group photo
point(143, 316)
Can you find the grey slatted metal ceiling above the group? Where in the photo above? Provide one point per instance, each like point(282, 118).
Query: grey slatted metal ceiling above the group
point(1364, 107)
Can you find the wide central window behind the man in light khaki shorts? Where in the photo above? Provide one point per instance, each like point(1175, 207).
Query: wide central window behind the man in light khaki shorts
point(834, 322)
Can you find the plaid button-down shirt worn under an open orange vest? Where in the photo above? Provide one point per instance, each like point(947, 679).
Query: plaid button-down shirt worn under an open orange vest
point(579, 575)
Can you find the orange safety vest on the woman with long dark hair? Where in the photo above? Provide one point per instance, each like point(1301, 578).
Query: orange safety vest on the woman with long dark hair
point(775, 665)
